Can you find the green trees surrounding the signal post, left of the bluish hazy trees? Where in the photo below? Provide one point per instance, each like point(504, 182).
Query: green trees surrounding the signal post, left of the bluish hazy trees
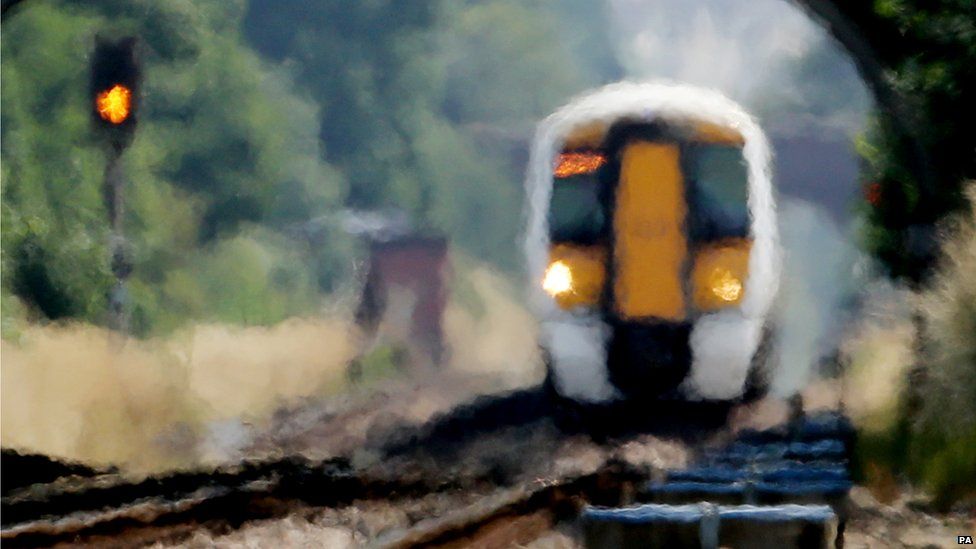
point(224, 146)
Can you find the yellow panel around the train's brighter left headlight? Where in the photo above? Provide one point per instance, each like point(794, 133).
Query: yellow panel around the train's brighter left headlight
point(587, 270)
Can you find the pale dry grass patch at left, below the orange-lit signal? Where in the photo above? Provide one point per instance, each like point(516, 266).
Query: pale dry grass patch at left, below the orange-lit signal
point(79, 392)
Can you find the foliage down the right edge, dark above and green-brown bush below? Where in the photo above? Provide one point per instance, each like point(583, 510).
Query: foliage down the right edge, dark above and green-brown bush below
point(917, 181)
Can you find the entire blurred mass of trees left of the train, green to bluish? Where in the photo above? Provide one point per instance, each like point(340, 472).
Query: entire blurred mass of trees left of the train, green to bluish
point(241, 157)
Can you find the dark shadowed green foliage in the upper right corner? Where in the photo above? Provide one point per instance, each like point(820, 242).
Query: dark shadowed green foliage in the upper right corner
point(930, 62)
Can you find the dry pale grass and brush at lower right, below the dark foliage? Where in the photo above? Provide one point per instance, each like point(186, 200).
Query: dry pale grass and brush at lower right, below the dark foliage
point(923, 425)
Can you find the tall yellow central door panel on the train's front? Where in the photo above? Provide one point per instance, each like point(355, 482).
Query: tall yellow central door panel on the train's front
point(648, 226)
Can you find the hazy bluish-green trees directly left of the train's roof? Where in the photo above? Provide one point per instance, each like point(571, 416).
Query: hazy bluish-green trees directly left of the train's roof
point(429, 106)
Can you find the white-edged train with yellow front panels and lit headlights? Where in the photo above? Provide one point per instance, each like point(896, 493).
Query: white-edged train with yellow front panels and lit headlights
point(652, 246)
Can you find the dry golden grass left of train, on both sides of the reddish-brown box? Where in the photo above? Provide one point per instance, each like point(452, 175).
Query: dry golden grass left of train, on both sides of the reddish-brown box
point(79, 392)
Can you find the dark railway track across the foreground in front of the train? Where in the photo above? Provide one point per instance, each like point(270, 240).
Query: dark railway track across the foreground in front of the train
point(793, 476)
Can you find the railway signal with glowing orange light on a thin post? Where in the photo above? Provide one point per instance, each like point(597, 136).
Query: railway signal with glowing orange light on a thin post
point(114, 93)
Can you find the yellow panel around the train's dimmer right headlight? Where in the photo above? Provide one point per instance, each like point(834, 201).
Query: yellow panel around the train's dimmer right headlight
point(720, 273)
